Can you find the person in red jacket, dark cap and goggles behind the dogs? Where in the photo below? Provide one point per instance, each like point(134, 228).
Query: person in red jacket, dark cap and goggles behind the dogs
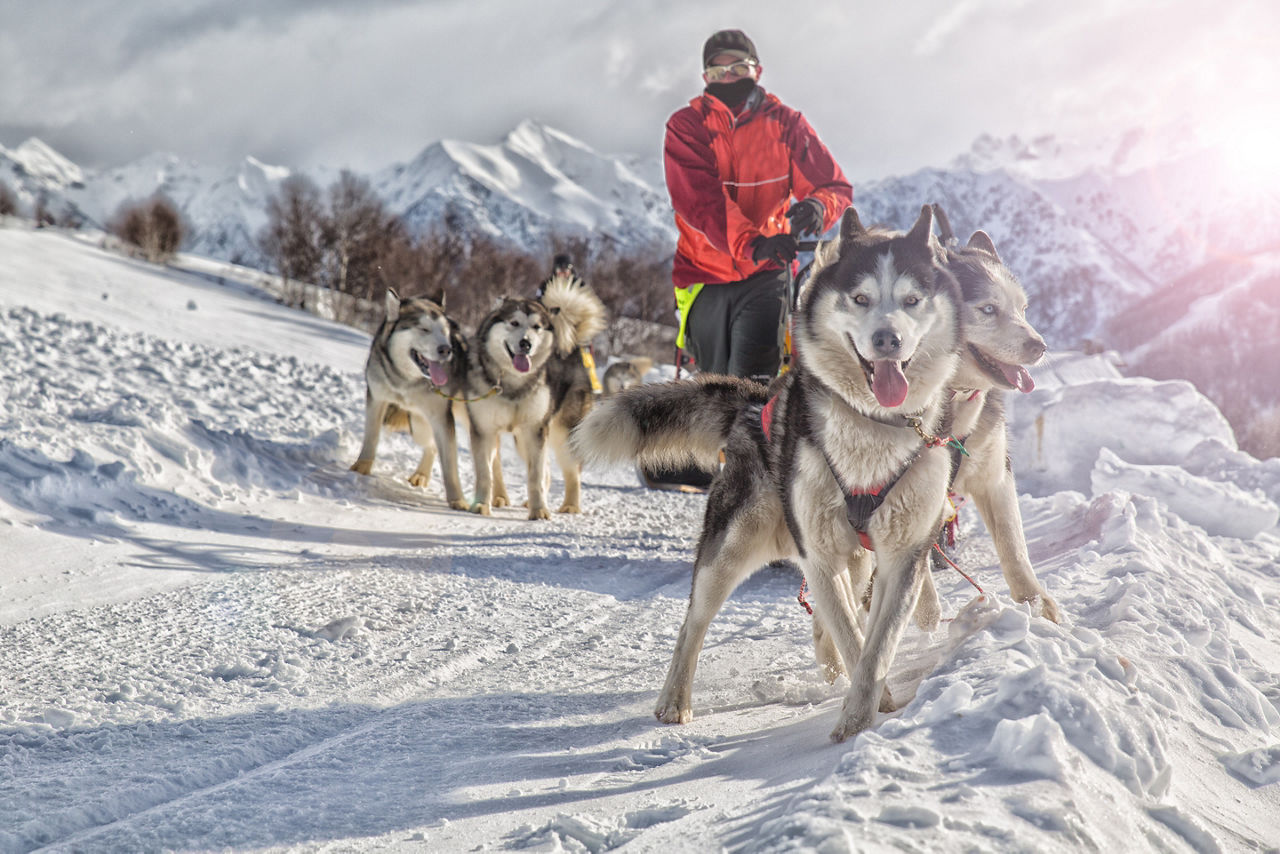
point(747, 175)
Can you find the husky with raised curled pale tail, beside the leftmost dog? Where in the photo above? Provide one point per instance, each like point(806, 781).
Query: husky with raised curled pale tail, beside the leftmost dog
point(531, 380)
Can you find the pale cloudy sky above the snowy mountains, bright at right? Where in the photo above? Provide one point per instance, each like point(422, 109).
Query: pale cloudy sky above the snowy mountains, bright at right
point(365, 84)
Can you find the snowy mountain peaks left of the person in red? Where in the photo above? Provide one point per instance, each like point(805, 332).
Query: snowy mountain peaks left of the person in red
point(537, 185)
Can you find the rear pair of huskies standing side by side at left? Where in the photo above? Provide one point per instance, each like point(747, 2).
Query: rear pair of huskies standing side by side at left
point(523, 373)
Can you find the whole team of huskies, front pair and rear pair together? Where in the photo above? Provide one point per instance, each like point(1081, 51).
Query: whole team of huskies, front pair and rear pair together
point(903, 346)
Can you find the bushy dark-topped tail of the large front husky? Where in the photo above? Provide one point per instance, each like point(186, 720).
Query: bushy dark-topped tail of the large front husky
point(666, 424)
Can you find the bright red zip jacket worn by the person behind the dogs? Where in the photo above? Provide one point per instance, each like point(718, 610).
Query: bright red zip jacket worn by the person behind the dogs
point(733, 180)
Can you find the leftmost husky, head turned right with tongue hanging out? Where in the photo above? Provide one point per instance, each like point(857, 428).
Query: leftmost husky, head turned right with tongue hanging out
point(417, 363)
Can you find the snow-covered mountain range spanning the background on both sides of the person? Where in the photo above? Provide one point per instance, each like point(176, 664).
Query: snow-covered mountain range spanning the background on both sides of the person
point(1092, 229)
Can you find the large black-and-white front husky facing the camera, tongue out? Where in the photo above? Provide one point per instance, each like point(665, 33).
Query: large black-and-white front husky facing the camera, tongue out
point(836, 458)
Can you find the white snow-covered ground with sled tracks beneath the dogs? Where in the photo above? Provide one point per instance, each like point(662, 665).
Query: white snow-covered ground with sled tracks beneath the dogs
point(213, 636)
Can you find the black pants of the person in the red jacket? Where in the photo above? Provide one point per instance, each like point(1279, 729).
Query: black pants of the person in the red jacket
point(737, 328)
